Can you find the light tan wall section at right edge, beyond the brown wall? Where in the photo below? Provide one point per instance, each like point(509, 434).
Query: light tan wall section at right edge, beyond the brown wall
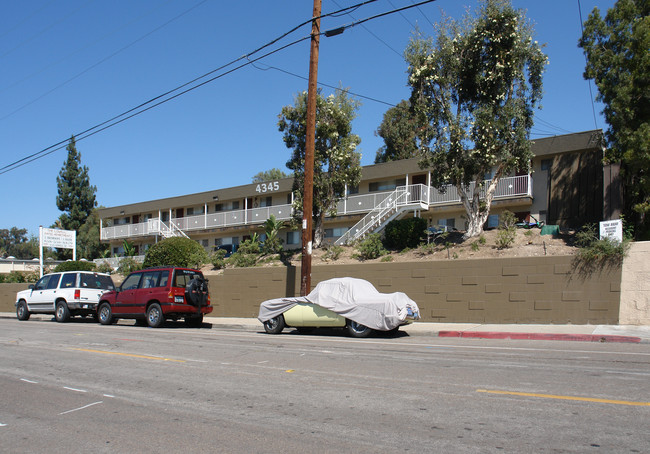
point(635, 286)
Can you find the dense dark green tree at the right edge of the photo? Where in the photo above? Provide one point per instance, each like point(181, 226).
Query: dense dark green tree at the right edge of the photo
point(618, 61)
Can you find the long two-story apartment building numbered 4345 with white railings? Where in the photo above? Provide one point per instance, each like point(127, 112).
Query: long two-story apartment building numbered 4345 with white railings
point(568, 186)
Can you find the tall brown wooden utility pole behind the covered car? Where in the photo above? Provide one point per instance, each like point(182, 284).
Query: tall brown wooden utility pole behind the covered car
point(310, 141)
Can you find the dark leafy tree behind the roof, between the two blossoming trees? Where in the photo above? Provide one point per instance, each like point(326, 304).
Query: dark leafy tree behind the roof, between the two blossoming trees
point(399, 131)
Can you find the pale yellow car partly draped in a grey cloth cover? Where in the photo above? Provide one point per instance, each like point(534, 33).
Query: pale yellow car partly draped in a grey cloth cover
point(353, 304)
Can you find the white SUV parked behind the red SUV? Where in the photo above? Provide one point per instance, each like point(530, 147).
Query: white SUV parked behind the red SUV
point(63, 294)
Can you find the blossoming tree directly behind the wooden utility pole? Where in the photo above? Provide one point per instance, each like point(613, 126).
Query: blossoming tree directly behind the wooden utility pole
point(336, 161)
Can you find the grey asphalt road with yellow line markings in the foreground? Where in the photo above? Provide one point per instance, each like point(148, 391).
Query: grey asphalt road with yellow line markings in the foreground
point(82, 387)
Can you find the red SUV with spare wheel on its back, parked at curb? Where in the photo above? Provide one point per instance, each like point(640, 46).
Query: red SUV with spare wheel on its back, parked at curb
point(153, 295)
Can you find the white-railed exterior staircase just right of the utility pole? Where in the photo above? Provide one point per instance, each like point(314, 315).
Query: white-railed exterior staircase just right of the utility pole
point(402, 200)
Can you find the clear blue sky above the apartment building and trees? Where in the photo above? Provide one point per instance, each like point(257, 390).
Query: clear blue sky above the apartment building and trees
point(70, 65)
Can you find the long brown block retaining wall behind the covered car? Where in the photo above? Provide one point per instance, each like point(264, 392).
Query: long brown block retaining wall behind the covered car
point(517, 290)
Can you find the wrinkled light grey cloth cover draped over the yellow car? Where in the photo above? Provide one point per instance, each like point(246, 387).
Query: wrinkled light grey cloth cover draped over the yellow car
point(355, 299)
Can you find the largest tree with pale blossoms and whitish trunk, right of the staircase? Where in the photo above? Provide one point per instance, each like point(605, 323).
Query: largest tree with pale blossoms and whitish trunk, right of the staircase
point(473, 92)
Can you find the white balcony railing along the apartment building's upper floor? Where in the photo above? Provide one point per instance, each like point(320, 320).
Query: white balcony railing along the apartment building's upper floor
point(506, 188)
